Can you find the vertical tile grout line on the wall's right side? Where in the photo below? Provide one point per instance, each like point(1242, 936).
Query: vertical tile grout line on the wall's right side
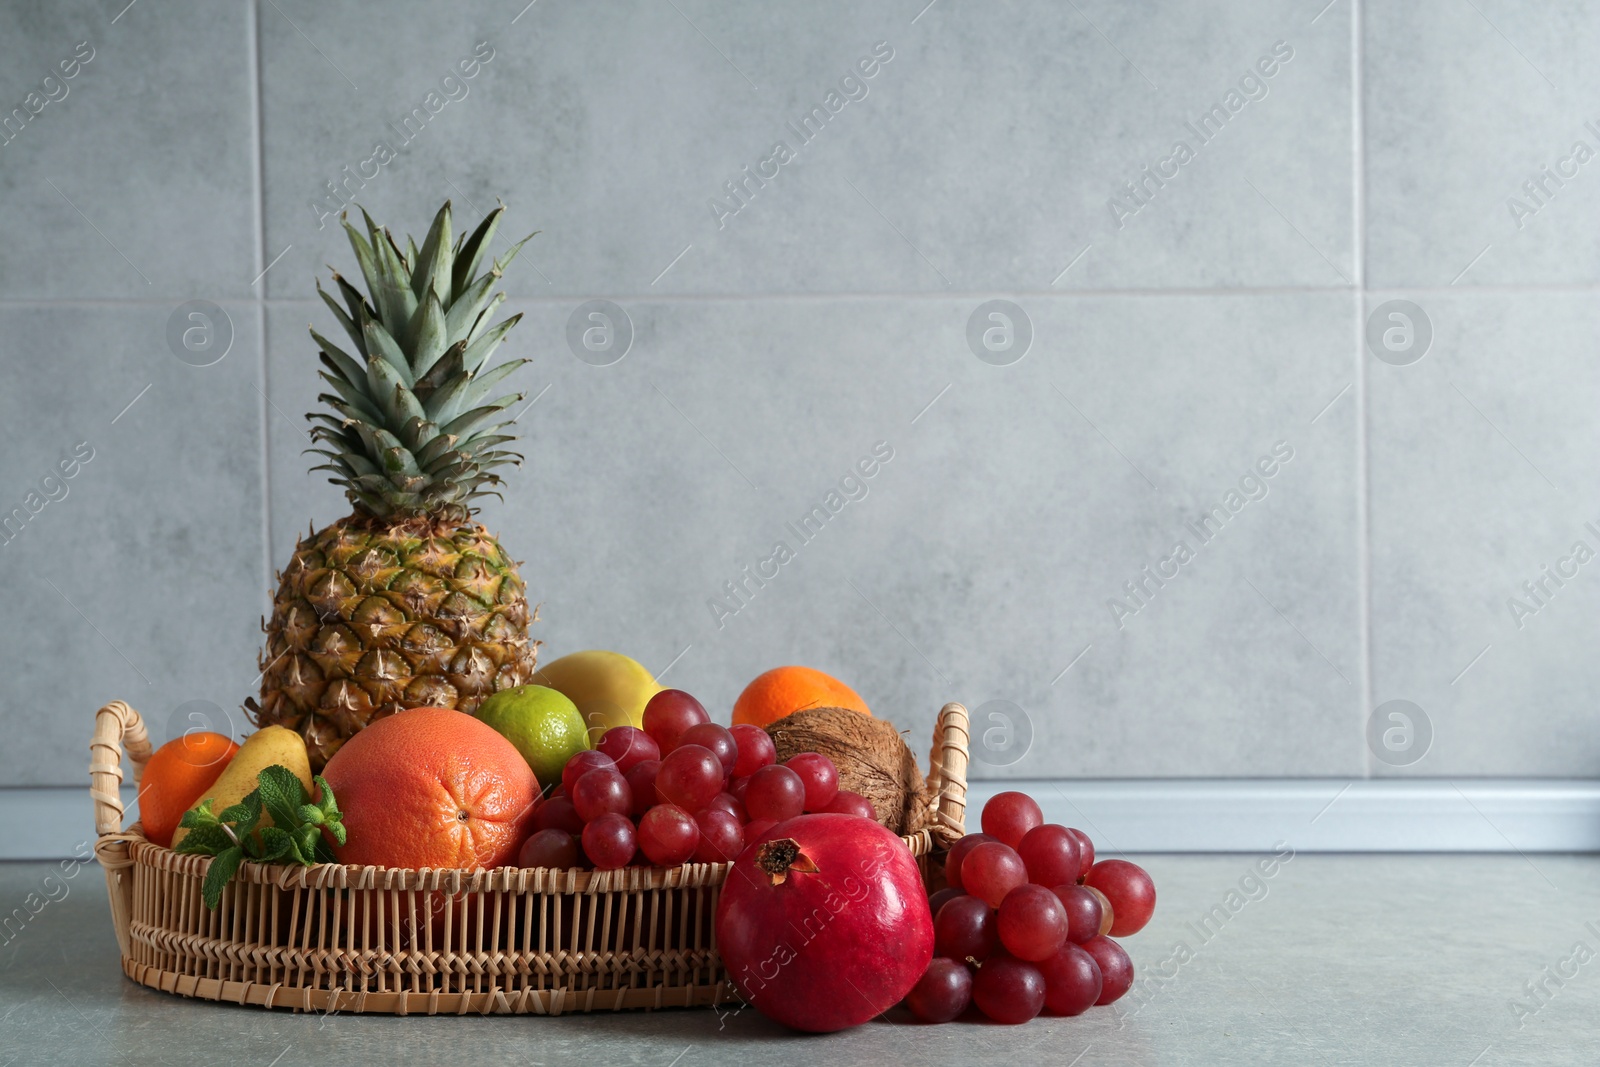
point(1364, 506)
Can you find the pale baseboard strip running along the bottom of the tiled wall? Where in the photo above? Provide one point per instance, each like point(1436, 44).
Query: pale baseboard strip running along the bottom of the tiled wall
point(1148, 817)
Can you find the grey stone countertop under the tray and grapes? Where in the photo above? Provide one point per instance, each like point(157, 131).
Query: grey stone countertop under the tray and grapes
point(1460, 961)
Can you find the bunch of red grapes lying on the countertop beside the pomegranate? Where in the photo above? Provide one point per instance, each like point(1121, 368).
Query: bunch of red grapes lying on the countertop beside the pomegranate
point(1026, 922)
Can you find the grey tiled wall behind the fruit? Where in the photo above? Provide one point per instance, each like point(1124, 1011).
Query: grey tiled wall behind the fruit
point(1182, 345)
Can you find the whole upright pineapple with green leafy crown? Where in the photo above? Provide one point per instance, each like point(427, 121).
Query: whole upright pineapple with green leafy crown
point(407, 601)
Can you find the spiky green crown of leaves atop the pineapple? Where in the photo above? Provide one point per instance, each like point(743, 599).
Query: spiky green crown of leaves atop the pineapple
point(414, 426)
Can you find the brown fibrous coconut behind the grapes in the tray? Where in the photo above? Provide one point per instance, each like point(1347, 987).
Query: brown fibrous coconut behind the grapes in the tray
point(871, 756)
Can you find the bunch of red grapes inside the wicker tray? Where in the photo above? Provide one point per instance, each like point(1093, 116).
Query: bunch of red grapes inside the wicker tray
point(679, 791)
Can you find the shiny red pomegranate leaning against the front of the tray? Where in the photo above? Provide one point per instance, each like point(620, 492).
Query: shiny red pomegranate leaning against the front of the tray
point(825, 924)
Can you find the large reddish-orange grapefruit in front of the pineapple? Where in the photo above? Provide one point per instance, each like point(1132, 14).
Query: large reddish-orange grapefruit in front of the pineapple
point(431, 788)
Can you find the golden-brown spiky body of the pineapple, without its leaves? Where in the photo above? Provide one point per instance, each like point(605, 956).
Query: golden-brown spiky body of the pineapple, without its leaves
point(374, 618)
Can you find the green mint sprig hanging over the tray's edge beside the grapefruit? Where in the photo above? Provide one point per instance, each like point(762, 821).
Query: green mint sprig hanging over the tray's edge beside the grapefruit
point(295, 834)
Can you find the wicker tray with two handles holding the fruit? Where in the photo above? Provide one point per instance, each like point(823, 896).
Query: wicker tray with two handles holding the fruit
point(378, 940)
